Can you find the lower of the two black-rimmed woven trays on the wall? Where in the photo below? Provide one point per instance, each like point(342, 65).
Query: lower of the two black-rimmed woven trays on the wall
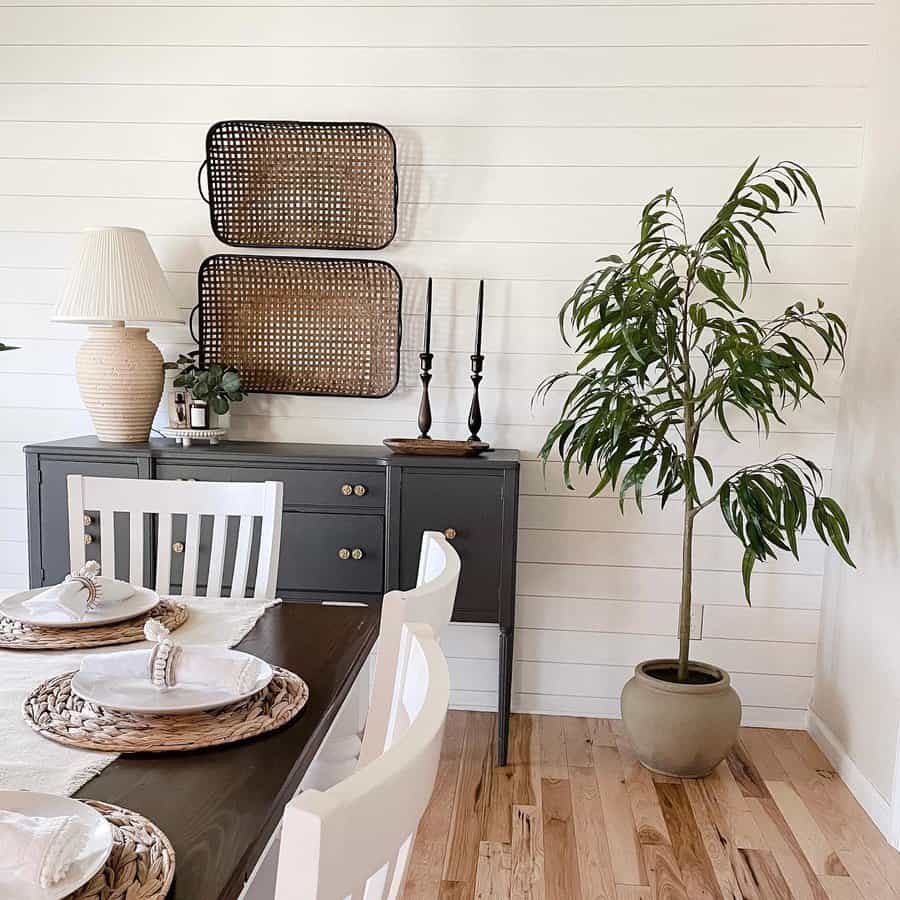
point(302, 326)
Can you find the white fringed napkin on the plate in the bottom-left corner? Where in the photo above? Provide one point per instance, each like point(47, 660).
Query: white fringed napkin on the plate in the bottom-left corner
point(40, 850)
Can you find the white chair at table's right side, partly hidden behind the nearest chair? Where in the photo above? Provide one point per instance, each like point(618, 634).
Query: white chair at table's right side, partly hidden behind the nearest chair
point(430, 602)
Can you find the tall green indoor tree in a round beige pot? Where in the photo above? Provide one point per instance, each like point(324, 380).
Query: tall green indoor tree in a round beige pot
point(668, 351)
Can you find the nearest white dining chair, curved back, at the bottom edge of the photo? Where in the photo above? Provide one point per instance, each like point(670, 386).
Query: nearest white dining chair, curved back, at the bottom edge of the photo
point(352, 842)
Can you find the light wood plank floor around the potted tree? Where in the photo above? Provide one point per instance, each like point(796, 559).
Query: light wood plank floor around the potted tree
point(575, 817)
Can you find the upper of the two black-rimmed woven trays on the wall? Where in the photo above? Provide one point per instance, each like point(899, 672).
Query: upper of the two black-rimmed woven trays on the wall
point(302, 184)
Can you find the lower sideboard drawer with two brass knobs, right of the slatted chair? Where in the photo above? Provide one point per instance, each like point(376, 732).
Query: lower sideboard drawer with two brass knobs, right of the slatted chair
point(311, 553)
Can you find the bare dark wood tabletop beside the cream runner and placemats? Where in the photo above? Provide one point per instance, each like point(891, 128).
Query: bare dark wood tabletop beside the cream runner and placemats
point(219, 806)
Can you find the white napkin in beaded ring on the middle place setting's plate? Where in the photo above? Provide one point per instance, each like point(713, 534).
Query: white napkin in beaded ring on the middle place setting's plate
point(214, 667)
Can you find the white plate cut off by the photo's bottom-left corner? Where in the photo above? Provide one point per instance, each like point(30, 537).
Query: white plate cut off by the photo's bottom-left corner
point(88, 863)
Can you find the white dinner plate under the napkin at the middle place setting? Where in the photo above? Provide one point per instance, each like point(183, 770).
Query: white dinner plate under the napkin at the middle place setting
point(138, 695)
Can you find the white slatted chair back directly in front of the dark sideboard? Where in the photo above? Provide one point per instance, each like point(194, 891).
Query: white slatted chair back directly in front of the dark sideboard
point(192, 499)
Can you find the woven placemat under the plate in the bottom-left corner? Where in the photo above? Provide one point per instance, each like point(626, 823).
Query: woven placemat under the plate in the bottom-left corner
point(141, 865)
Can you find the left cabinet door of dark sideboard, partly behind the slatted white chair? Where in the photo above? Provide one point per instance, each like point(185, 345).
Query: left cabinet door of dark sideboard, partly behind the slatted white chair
point(54, 517)
